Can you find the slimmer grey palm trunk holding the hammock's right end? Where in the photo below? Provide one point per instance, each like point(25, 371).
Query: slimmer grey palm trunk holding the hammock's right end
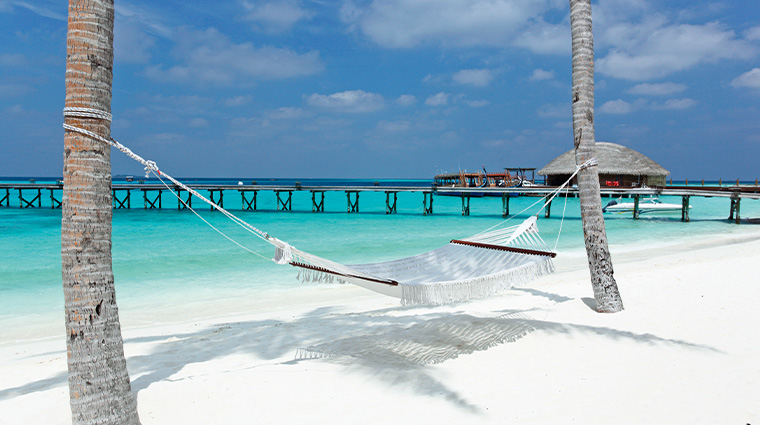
point(605, 288)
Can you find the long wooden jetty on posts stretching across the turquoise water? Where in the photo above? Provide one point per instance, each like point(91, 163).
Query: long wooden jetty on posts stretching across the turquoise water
point(30, 195)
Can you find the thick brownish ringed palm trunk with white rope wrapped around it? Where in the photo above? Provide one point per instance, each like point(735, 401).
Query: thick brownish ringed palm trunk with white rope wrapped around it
point(99, 385)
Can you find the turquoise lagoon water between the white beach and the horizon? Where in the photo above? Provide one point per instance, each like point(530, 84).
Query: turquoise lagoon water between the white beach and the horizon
point(168, 257)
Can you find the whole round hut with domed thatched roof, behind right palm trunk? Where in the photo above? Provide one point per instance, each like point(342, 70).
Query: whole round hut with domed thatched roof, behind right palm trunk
point(618, 166)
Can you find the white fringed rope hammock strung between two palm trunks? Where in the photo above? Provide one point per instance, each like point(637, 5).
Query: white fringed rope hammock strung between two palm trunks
point(470, 268)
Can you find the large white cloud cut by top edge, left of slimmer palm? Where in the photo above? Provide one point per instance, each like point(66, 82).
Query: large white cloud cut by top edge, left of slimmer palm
point(409, 23)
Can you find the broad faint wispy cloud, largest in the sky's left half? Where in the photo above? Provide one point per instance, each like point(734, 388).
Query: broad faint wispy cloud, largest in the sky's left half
point(209, 57)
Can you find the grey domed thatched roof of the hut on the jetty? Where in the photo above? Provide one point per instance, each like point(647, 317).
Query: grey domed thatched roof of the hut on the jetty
point(613, 159)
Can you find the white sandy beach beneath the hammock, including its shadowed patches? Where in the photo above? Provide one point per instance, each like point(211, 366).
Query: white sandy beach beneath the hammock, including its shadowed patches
point(685, 351)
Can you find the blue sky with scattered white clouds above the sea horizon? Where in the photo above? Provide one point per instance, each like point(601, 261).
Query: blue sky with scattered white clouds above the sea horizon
point(391, 88)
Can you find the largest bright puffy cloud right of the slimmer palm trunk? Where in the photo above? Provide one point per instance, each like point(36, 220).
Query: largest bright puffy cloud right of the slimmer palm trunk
point(643, 53)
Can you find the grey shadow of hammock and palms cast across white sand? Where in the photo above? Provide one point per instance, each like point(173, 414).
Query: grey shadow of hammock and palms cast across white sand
point(395, 345)
